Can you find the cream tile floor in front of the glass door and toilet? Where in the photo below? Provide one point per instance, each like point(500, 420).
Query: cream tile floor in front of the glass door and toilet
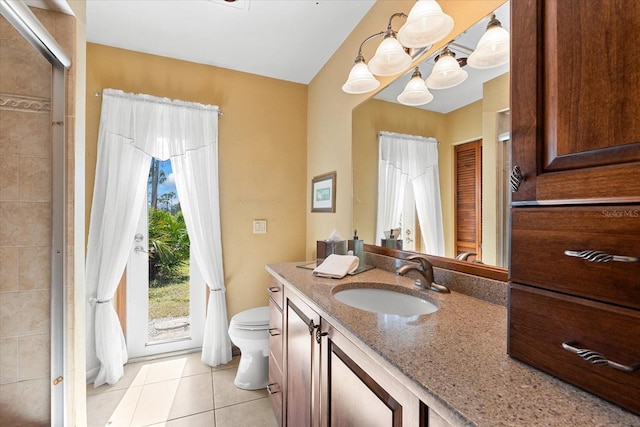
point(178, 391)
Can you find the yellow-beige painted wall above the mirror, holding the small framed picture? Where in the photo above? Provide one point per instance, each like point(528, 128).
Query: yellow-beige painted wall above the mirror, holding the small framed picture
point(329, 116)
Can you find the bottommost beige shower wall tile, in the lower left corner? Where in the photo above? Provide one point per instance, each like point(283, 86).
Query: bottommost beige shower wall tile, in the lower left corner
point(25, 402)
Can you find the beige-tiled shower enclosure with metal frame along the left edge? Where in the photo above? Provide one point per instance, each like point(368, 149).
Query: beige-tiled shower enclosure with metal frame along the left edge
point(36, 192)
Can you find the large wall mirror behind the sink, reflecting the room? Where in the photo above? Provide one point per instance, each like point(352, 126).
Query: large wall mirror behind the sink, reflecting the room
point(471, 116)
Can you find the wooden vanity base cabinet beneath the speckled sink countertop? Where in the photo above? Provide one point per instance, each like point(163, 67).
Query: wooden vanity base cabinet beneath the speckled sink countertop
point(328, 380)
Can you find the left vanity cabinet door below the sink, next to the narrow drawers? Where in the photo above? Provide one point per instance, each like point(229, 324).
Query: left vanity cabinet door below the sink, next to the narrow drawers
point(302, 364)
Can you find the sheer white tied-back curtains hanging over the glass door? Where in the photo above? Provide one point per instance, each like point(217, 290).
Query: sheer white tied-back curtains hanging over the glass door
point(137, 128)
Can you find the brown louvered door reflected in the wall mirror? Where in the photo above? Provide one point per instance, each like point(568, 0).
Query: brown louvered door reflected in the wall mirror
point(468, 199)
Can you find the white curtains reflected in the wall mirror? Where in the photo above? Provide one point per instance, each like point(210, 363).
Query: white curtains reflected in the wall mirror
point(410, 160)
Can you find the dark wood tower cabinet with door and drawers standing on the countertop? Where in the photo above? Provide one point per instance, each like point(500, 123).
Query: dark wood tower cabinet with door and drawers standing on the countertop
point(574, 271)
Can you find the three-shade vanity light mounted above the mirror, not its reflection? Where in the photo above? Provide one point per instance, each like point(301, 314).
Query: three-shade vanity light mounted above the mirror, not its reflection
point(426, 24)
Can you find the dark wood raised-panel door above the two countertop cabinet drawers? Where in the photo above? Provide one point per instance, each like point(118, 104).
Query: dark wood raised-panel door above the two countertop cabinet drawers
point(575, 85)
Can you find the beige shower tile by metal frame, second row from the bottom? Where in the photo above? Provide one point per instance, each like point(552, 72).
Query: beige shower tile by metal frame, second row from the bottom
point(33, 357)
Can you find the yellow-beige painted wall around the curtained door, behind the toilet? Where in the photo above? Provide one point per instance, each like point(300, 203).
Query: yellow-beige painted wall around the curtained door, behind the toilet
point(262, 155)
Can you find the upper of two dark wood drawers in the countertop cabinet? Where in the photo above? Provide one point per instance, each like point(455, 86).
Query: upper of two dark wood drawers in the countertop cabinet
point(540, 237)
